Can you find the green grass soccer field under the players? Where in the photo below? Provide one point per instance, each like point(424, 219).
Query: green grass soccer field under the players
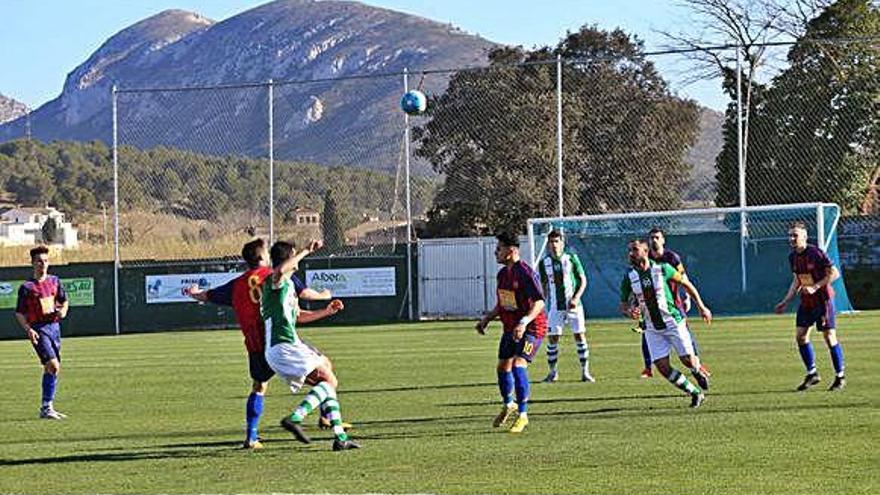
point(163, 413)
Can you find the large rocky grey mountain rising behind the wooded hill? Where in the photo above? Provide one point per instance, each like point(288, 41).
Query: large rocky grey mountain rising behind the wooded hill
point(355, 122)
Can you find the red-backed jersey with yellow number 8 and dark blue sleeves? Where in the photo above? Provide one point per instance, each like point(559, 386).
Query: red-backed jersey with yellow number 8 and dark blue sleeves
point(243, 293)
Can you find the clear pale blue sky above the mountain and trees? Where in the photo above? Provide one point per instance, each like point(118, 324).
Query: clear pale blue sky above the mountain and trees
point(43, 40)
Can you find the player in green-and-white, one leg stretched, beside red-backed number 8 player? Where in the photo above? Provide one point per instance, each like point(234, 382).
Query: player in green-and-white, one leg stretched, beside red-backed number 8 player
point(296, 362)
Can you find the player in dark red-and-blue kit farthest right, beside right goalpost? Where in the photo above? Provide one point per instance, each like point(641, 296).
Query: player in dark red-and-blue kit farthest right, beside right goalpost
point(813, 273)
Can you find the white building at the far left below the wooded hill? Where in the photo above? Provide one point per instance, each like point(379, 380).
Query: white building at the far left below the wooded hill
point(23, 226)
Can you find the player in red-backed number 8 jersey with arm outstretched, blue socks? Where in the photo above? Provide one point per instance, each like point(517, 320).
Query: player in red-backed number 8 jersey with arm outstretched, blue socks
point(243, 294)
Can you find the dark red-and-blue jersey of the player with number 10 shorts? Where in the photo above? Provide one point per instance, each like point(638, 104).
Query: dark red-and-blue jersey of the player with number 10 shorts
point(518, 288)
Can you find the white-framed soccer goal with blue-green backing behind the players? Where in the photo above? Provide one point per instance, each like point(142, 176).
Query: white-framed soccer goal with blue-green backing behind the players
point(738, 257)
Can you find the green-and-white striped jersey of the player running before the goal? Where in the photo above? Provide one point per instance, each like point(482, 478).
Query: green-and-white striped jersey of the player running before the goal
point(652, 290)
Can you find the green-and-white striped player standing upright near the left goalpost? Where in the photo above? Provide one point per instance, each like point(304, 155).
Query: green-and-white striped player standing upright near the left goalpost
point(564, 282)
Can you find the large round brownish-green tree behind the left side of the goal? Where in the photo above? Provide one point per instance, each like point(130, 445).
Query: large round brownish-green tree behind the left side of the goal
point(492, 134)
